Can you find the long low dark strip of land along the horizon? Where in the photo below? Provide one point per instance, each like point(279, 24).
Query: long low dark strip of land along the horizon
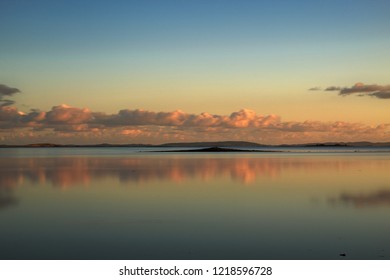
point(221, 144)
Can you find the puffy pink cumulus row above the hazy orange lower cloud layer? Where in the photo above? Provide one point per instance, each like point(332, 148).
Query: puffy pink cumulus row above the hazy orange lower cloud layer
point(66, 117)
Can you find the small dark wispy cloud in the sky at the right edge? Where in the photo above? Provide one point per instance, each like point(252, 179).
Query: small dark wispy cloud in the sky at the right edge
point(378, 91)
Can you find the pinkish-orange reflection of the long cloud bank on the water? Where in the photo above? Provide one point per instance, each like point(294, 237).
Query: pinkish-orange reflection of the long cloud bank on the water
point(75, 171)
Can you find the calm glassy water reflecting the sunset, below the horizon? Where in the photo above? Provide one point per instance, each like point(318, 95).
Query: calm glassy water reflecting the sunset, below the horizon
point(118, 203)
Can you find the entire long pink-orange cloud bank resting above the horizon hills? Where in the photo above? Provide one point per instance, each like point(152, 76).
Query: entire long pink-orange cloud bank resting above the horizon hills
point(67, 124)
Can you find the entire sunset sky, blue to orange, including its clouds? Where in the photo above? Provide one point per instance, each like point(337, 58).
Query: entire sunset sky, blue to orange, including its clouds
point(271, 72)
